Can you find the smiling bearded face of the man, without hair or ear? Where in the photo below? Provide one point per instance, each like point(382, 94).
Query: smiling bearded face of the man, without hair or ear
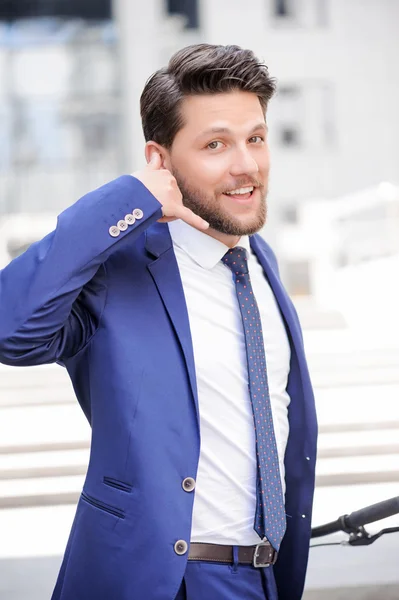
point(222, 148)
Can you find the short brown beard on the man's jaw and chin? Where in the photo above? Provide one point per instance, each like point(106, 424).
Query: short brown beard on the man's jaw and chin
point(208, 208)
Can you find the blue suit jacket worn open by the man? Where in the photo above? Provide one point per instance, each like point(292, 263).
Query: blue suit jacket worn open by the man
point(113, 312)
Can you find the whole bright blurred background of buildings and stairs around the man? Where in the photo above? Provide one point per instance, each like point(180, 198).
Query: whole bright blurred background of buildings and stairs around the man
point(71, 73)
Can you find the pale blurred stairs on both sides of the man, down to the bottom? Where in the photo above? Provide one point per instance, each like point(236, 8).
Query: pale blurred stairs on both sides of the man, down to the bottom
point(44, 452)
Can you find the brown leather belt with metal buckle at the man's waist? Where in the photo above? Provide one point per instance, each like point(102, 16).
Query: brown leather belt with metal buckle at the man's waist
point(262, 555)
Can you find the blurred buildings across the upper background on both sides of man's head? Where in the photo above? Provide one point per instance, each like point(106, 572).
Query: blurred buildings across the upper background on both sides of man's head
point(71, 77)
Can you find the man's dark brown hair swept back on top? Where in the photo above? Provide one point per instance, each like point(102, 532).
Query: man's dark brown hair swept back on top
point(194, 70)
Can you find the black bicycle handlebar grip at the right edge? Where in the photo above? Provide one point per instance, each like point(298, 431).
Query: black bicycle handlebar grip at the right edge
point(358, 518)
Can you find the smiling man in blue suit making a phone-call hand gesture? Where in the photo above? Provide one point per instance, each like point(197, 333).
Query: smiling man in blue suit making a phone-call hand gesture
point(166, 308)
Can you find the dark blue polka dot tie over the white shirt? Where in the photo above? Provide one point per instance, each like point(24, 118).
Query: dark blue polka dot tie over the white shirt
point(270, 519)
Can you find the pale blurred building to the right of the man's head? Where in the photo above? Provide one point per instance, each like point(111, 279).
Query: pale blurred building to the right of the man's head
point(333, 123)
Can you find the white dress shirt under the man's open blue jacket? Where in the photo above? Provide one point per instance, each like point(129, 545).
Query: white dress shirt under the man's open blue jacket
point(225, 496)
